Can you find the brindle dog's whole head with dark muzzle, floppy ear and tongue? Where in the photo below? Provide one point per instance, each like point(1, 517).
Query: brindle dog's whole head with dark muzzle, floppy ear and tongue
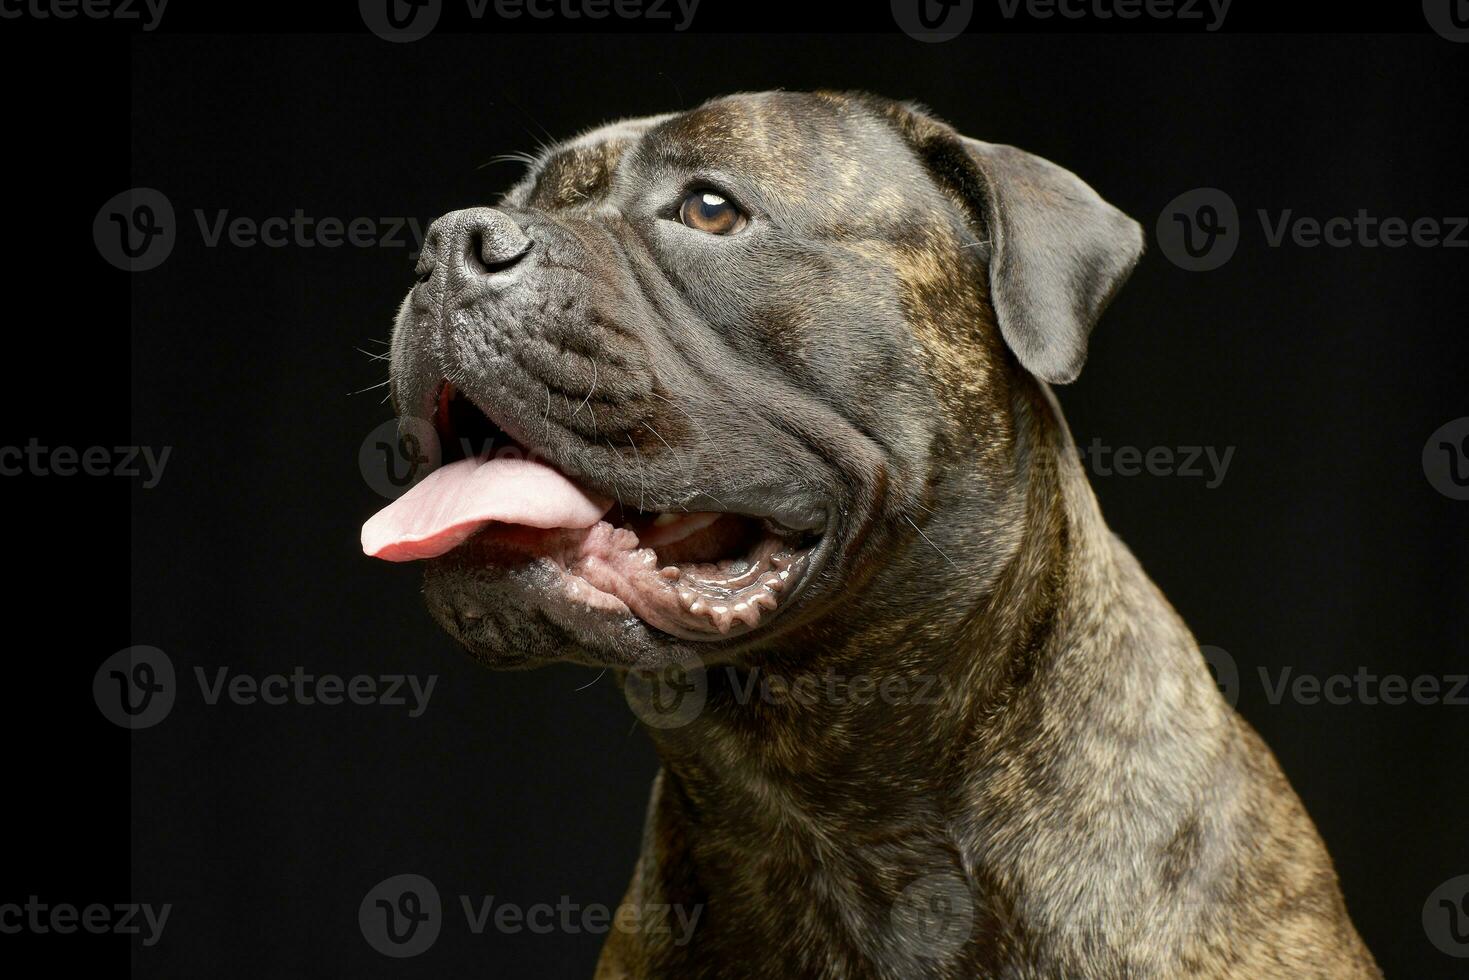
point(709, 381)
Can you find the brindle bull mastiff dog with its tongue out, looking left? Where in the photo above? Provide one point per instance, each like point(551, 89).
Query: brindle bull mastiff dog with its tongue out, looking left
point(751, 405)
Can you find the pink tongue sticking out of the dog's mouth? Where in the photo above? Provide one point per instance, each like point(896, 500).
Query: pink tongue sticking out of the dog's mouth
point(458, 500)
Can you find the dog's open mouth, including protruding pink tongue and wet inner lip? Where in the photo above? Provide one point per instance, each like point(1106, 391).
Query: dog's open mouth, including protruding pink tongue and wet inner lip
point(697, 575)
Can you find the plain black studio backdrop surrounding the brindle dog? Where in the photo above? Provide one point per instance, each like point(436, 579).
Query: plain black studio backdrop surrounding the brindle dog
point(1324, 549)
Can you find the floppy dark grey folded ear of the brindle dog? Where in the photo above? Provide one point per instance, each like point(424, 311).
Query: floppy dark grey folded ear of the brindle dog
point(1057, 251)
